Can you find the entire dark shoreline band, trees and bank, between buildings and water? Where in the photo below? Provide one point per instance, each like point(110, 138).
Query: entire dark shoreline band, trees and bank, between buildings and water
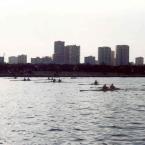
point(80, 70)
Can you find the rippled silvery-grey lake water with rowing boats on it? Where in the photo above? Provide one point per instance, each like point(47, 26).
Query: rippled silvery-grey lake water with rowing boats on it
point(38, 112)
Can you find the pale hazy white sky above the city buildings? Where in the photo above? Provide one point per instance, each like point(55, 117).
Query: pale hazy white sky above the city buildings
point(32, 26)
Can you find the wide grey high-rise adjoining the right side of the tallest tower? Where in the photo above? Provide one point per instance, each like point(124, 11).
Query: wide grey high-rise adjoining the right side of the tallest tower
point(72, 54)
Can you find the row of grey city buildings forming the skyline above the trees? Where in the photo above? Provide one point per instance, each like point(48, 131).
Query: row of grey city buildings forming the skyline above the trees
point(70, 54)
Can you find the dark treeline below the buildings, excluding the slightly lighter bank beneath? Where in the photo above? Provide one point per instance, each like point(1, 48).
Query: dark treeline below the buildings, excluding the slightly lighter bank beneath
point(30, 68)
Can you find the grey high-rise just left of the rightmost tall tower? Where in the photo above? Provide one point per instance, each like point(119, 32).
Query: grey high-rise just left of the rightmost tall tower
point(104, 55)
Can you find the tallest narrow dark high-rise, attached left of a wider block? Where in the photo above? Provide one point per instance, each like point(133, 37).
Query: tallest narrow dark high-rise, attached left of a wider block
point(58, 56)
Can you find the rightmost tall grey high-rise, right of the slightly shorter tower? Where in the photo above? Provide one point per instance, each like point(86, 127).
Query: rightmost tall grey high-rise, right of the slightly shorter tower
point(122, 55)
